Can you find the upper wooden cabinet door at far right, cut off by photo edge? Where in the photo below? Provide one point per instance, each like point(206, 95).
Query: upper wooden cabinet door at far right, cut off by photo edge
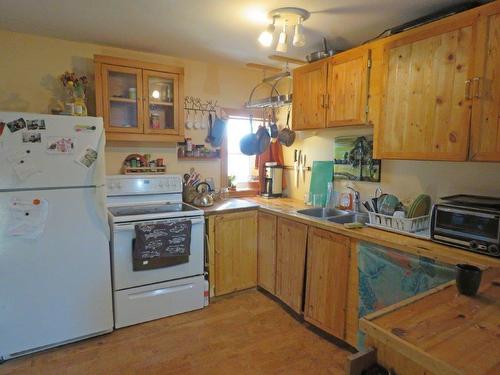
point(485, 144)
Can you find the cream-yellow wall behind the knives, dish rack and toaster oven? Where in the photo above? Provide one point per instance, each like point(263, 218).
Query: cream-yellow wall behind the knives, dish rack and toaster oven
point(404, 178)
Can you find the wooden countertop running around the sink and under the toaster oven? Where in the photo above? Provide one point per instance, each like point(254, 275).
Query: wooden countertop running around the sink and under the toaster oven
point(287, 208)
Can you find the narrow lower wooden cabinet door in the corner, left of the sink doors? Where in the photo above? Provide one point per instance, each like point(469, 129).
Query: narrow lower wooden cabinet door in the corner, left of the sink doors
point(266, 252)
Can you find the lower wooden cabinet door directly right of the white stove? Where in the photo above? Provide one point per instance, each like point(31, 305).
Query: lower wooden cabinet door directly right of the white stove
point(235, 247)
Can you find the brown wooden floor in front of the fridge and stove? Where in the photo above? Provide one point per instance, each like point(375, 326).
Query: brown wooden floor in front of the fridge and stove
point(244, 333)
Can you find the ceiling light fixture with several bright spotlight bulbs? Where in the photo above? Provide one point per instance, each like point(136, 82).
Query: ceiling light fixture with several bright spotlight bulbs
point(288, 16)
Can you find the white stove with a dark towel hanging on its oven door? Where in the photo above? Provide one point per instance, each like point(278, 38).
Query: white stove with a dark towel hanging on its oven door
point(145, 295)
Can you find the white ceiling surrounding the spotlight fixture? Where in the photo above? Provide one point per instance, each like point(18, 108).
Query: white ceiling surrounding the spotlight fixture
point(212, 30)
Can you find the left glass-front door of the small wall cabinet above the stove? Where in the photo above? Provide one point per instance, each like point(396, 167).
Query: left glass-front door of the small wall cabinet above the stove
point(122, 91)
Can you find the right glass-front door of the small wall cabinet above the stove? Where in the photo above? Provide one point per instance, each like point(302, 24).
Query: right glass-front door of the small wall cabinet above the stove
point(161, 102)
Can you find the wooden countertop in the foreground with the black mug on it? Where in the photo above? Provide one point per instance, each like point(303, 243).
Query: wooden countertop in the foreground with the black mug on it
point(442, 331)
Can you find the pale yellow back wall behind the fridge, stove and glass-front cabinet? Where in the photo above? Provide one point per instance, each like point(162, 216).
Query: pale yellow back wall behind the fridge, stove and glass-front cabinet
point(30, 67)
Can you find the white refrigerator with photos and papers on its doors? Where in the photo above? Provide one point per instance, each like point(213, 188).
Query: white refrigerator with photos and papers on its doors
point(55, 284)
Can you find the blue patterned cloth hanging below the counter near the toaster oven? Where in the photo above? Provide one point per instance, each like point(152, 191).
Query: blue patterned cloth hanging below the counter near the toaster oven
point(388, 276)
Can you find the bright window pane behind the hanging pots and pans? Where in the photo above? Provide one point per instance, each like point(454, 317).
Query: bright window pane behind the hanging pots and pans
point(238, 164)
